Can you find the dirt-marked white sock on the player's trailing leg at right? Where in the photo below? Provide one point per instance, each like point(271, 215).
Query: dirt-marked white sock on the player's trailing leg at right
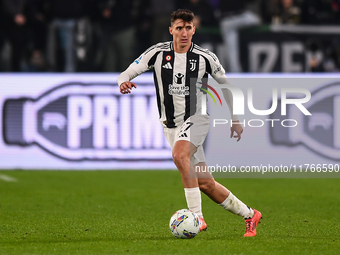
point(234, 205)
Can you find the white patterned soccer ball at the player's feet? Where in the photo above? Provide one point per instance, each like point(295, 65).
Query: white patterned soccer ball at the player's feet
point(184, 224)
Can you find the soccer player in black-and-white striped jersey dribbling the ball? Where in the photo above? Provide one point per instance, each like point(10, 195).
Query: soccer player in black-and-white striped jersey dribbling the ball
point(174, 63)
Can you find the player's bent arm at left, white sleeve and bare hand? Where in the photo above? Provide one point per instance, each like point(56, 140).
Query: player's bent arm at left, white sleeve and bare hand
point(137, 67)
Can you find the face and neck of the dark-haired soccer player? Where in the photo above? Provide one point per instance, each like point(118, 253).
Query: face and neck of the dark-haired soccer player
point(182, 33)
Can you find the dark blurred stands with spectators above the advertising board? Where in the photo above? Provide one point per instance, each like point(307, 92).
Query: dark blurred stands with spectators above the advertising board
point(107, 35)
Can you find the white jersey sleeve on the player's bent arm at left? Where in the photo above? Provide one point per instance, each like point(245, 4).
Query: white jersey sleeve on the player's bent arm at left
point(140, 65)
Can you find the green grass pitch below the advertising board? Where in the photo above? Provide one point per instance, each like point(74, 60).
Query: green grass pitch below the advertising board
point(128, 212)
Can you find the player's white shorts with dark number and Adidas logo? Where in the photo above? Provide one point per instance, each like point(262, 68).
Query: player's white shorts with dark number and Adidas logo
point(193, 130)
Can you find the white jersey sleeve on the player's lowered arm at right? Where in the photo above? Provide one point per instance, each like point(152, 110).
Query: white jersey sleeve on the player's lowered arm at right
point(218, 73)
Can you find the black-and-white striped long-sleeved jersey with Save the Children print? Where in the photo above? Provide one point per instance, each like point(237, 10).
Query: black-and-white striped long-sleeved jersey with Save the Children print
point(177, 78)
